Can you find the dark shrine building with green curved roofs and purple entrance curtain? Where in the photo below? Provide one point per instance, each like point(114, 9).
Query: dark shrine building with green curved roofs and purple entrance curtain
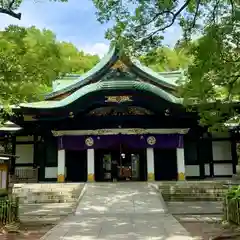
point(120, 110)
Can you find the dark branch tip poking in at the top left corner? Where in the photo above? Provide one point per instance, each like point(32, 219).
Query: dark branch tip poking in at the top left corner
point(10, 7)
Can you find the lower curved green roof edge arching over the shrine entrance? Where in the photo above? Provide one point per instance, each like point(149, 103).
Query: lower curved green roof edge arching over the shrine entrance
point(105, 85)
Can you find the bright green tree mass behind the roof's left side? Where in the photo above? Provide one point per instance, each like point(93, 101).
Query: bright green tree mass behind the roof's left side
point(31, 59)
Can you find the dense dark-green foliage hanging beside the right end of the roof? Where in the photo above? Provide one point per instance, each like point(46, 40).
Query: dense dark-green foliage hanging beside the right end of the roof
point(213, 78)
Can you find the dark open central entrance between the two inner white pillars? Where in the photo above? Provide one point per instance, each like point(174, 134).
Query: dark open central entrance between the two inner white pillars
point(131, 164)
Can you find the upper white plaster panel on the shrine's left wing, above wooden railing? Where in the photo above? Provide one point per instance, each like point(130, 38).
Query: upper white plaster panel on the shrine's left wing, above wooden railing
point(25, 153)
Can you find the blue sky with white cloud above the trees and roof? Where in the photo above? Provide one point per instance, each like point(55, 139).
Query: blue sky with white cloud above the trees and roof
point(73, 22)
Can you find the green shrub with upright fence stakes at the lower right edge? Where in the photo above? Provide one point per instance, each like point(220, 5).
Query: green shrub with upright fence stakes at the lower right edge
point(231, 205)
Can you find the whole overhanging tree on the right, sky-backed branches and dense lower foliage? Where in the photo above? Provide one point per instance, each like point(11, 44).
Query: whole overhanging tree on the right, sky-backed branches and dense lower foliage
point(213, 74)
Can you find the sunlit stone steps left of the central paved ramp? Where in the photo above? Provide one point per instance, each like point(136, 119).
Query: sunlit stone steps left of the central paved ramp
point(47, 202)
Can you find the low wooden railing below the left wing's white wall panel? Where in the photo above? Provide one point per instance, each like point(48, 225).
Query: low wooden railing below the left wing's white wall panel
point(25, 175)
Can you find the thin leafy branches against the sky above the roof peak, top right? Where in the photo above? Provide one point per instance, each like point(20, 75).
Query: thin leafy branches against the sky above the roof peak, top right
point(140, 24)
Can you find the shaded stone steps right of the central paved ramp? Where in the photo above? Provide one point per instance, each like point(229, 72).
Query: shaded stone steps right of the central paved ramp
point(193, 190)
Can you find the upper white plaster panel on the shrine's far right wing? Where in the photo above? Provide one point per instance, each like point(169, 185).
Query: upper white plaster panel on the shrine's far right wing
point(222, 150)
